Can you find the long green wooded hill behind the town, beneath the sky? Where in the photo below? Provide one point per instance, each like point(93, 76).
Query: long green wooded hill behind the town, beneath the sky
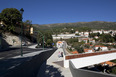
point(72, 27)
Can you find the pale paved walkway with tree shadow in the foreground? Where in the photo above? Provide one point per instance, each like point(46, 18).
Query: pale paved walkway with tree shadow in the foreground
point(53, 67)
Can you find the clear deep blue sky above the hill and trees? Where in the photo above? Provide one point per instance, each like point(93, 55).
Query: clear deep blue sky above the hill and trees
point(63, 11)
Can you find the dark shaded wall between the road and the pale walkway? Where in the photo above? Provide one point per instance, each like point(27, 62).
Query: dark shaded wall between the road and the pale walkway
point(30, 67)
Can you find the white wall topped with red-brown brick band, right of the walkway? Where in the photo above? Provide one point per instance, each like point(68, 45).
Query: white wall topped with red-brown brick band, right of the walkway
point(87, 59)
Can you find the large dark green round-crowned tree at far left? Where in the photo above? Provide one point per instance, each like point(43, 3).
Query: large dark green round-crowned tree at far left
point(10, 17)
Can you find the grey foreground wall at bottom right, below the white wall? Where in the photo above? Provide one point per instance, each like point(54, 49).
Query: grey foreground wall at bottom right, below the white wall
point(86, 73)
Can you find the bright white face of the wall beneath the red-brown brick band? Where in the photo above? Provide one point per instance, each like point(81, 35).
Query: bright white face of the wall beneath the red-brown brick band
point(91, 60)
